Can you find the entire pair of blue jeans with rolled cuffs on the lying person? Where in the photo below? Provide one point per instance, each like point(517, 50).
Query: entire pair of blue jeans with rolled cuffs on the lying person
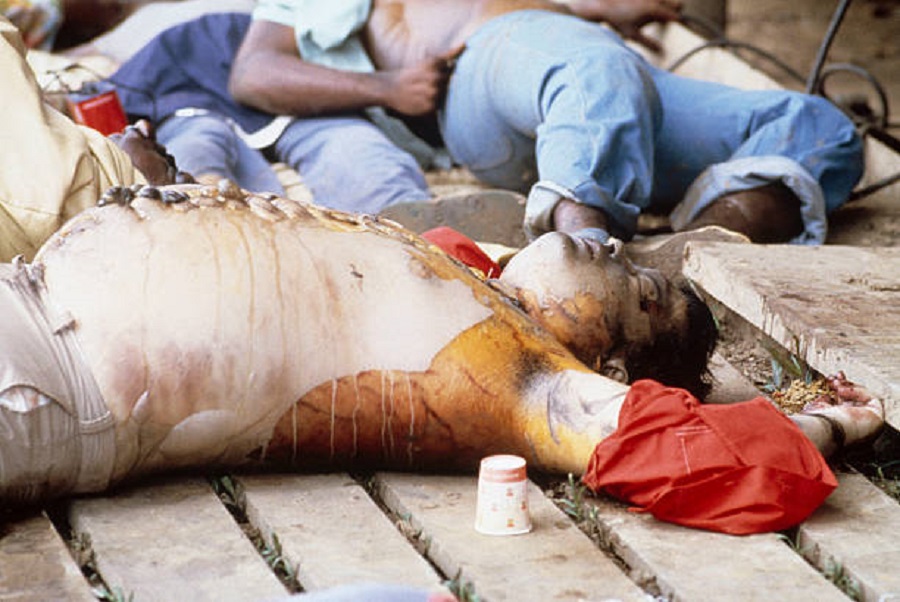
point(543, 97)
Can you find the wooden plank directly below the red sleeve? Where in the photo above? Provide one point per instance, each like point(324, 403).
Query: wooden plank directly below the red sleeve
point(694, 565)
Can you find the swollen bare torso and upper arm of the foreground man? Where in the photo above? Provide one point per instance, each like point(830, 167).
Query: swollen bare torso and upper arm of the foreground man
point(232, 329)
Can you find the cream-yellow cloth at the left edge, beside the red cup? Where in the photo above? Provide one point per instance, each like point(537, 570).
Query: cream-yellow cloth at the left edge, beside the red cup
point(51, 168)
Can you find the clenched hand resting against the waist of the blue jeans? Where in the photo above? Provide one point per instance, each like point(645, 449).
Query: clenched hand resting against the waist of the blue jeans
point(419, 90)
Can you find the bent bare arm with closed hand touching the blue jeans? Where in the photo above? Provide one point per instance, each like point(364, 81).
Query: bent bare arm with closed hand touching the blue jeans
point(269, 75)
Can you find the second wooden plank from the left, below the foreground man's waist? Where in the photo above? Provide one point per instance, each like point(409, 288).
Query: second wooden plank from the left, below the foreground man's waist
point(173, 540)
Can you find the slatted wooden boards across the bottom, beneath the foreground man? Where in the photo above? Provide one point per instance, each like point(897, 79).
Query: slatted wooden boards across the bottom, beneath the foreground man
point(174, 540)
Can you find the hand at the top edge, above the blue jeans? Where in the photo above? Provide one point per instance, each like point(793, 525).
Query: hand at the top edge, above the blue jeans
point(628, 17)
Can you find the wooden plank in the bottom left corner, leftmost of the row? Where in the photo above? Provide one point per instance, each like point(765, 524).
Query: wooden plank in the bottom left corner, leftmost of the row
point(35, 564)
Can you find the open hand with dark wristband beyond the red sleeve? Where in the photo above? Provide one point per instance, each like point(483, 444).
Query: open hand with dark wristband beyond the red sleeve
point(851, 415)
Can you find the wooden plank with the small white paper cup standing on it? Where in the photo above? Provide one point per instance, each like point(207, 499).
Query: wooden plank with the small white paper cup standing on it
point(555, 561)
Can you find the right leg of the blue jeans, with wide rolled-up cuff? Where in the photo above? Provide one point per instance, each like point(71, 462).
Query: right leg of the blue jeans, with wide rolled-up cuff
point(716, 139)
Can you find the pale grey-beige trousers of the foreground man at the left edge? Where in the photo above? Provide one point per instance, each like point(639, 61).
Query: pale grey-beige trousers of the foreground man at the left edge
point(56, 434)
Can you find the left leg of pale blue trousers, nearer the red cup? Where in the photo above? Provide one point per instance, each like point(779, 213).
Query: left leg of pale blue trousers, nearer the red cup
point(207, 144)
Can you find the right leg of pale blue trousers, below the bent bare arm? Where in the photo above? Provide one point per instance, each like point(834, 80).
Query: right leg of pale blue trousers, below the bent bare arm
point(349, 164)
